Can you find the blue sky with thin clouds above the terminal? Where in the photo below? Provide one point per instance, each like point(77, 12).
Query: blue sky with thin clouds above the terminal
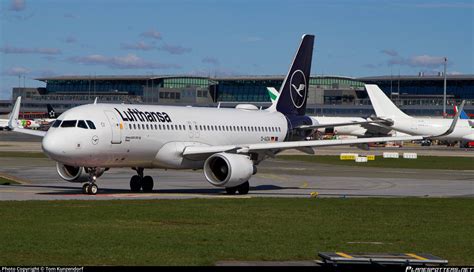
point(246, 37)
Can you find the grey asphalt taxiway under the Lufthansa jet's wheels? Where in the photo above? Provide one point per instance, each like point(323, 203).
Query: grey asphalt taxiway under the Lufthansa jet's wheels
point(276, 178)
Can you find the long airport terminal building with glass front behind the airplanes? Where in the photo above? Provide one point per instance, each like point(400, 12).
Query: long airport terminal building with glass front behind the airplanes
point(328, 95)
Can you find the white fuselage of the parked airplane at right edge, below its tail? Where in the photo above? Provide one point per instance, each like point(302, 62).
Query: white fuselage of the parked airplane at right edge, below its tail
point(433, 126)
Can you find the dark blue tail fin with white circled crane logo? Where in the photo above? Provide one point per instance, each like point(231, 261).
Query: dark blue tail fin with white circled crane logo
point(294, 90)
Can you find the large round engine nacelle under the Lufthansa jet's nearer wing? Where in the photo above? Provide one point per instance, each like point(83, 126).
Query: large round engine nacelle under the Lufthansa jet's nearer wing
point(228, 170)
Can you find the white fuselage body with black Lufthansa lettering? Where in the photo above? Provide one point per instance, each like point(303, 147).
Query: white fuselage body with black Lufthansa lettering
point(155, 136)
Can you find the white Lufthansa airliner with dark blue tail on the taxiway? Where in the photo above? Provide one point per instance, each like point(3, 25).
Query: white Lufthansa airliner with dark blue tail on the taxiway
point(226, 143)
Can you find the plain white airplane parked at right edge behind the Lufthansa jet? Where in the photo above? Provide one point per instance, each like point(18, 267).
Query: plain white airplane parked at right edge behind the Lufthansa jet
point(395, 119)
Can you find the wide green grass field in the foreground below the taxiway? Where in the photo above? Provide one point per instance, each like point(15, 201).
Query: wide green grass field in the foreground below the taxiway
point(203, 231)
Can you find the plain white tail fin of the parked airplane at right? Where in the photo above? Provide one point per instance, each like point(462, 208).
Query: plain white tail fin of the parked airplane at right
point(383, 106)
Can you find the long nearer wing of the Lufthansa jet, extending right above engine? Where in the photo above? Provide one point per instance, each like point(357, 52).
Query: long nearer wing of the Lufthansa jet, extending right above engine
point(207, 150)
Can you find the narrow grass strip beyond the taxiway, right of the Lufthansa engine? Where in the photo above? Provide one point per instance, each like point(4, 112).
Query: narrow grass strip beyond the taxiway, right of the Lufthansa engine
point(423, 162)
